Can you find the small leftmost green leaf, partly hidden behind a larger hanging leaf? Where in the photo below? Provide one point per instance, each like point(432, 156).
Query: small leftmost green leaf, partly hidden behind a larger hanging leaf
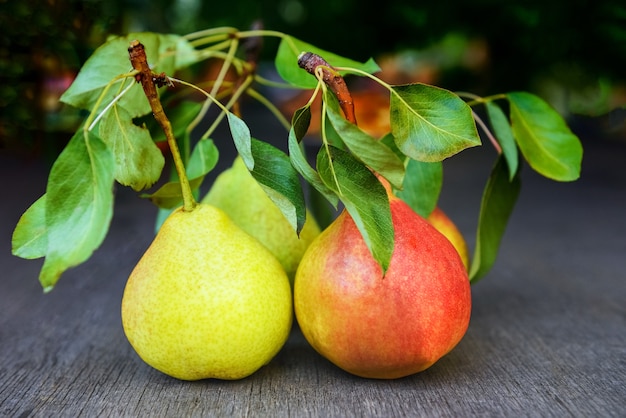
point(29, 237)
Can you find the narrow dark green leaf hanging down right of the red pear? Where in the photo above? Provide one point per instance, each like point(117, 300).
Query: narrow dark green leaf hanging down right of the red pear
point(497, 204)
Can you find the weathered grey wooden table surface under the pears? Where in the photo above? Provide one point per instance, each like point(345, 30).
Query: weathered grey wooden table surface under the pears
point(547, 336)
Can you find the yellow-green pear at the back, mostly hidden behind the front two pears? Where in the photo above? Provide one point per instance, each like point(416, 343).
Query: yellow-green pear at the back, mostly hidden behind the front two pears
point(238, 194)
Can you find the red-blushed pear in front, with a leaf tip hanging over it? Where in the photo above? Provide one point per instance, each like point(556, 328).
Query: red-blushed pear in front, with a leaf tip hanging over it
point(379, 325)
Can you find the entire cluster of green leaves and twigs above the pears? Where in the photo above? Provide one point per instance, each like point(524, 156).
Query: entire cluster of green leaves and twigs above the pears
point(428, 124)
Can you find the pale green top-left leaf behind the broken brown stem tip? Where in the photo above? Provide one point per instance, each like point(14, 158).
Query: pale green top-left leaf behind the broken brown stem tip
point(166, 53)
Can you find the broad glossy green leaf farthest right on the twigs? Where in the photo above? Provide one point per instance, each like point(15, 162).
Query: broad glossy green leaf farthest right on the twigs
point(545, 140)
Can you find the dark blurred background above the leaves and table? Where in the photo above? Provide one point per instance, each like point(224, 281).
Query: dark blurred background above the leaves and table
point(572, 53)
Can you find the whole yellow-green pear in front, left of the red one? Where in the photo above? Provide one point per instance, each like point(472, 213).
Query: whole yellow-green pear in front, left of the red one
point(206, 300)
